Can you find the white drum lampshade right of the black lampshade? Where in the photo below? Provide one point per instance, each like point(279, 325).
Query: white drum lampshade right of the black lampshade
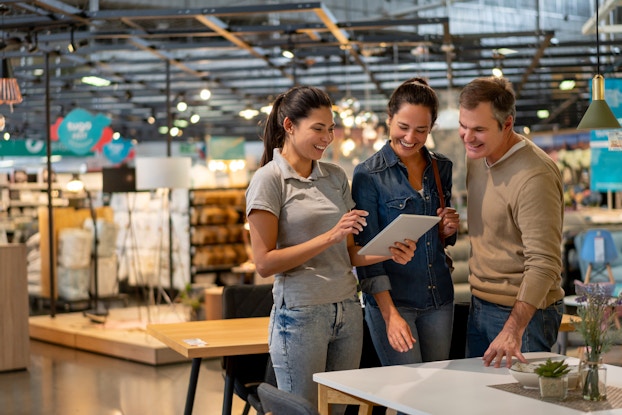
point(162, 172)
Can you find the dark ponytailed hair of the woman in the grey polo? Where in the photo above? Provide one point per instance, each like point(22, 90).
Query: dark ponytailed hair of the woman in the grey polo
point(295, 104)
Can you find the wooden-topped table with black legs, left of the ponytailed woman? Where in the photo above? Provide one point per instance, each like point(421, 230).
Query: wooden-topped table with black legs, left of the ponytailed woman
point(212, 338)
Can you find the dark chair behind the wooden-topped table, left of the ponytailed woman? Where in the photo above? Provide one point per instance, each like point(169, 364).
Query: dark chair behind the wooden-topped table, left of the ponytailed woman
point(244, 373)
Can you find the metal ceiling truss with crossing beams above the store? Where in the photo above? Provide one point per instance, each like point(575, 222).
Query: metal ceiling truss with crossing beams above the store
point(154, 56)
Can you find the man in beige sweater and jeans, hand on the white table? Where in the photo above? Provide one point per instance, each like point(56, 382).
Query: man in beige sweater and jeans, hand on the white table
point(515, 212)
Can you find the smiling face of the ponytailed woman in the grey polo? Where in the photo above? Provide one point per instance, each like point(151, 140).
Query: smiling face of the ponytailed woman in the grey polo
point(307, 140)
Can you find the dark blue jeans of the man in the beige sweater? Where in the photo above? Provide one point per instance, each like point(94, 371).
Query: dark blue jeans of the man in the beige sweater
point(487, 319)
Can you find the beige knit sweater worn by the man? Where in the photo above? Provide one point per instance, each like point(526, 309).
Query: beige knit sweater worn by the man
point(515, 214)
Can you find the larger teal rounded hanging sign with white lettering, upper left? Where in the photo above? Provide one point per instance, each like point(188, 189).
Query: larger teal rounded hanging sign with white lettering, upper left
point(80, 130)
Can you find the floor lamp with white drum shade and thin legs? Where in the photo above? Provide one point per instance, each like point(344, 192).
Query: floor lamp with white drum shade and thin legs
point(164, 173)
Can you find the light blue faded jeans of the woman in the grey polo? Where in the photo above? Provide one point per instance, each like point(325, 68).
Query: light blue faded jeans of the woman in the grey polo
point(313, 339)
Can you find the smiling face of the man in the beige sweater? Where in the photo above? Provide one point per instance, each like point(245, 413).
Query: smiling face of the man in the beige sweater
point(481, 135)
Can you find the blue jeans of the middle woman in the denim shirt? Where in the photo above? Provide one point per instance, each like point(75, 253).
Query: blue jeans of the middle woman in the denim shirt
point(431, 328)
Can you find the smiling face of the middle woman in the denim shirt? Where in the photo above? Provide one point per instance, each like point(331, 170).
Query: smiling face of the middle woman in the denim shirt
point(408, 129)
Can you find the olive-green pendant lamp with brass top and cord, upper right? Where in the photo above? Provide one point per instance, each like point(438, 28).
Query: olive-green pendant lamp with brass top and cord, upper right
point(598, 115)
